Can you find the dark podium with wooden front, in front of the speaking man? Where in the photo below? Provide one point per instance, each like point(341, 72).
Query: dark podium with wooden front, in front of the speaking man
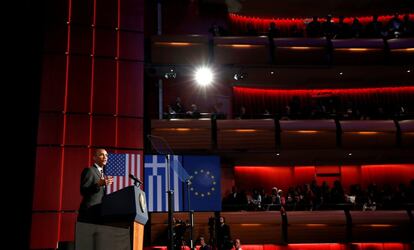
point(124, 214)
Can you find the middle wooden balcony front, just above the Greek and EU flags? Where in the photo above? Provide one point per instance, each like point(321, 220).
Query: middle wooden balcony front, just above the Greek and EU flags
point(259, 141)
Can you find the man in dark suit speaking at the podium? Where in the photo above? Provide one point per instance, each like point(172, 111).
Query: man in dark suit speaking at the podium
point(92, 188)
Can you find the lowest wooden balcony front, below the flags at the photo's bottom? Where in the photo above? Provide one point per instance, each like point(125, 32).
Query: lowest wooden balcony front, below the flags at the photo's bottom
point(272, 227)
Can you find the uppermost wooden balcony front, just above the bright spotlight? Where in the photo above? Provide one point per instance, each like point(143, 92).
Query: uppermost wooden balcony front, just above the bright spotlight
point(199, 49)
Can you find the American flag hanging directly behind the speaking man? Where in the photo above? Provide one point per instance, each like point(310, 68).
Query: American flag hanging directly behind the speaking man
point(120, 166)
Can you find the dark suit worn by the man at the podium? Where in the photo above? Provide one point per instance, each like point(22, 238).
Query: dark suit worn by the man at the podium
point(92, 194)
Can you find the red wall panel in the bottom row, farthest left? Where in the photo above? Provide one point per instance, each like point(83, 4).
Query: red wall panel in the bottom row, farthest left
point(44, 233)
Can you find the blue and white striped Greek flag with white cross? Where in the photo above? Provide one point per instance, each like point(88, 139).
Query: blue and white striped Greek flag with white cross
point(155, 171)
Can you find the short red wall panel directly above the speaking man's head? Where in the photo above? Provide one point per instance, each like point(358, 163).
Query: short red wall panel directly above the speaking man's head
point(103, 131)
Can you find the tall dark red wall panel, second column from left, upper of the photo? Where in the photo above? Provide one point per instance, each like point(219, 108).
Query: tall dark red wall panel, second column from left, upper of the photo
point(79, 89)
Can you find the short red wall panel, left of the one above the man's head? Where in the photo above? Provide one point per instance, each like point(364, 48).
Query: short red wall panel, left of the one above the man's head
point(77, 130)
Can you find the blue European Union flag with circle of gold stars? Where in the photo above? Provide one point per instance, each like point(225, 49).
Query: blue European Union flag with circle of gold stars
point(205, 191)
